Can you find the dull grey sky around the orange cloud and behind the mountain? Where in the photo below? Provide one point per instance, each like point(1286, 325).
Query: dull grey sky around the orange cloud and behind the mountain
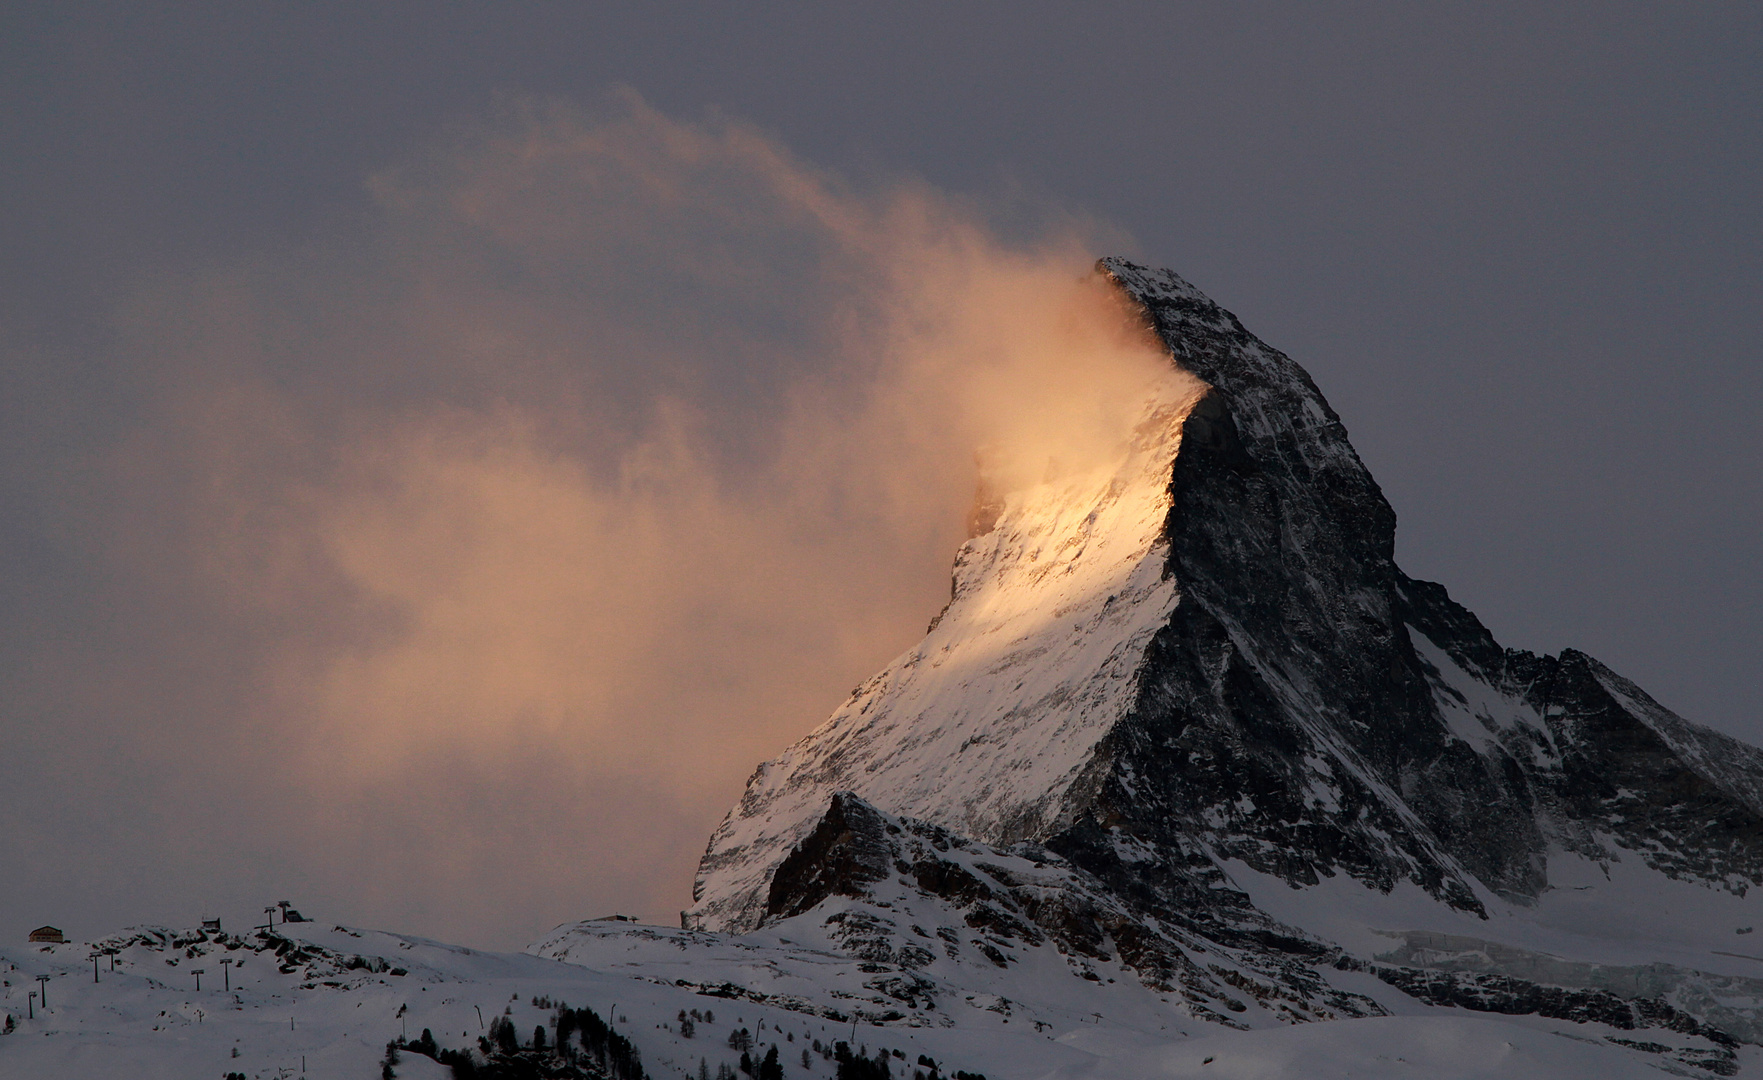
point(1519, 248)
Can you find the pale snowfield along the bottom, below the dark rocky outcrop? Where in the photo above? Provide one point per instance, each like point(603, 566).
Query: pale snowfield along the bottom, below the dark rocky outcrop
point(794, 986)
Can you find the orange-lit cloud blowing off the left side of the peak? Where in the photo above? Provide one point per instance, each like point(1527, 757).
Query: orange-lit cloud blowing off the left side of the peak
point(595, 471)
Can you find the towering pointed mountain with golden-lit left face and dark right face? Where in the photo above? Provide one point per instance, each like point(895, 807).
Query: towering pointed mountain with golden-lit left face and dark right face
point(1203, 663)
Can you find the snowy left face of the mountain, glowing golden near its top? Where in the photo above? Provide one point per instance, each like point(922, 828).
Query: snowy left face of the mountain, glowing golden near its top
point(988, 725)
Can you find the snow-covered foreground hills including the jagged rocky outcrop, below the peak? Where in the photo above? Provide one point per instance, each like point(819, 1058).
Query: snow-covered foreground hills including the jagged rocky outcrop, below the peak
point(896, 936)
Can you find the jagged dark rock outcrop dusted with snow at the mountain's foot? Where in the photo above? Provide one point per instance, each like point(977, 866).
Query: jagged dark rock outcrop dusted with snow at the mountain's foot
point(999, 903)
